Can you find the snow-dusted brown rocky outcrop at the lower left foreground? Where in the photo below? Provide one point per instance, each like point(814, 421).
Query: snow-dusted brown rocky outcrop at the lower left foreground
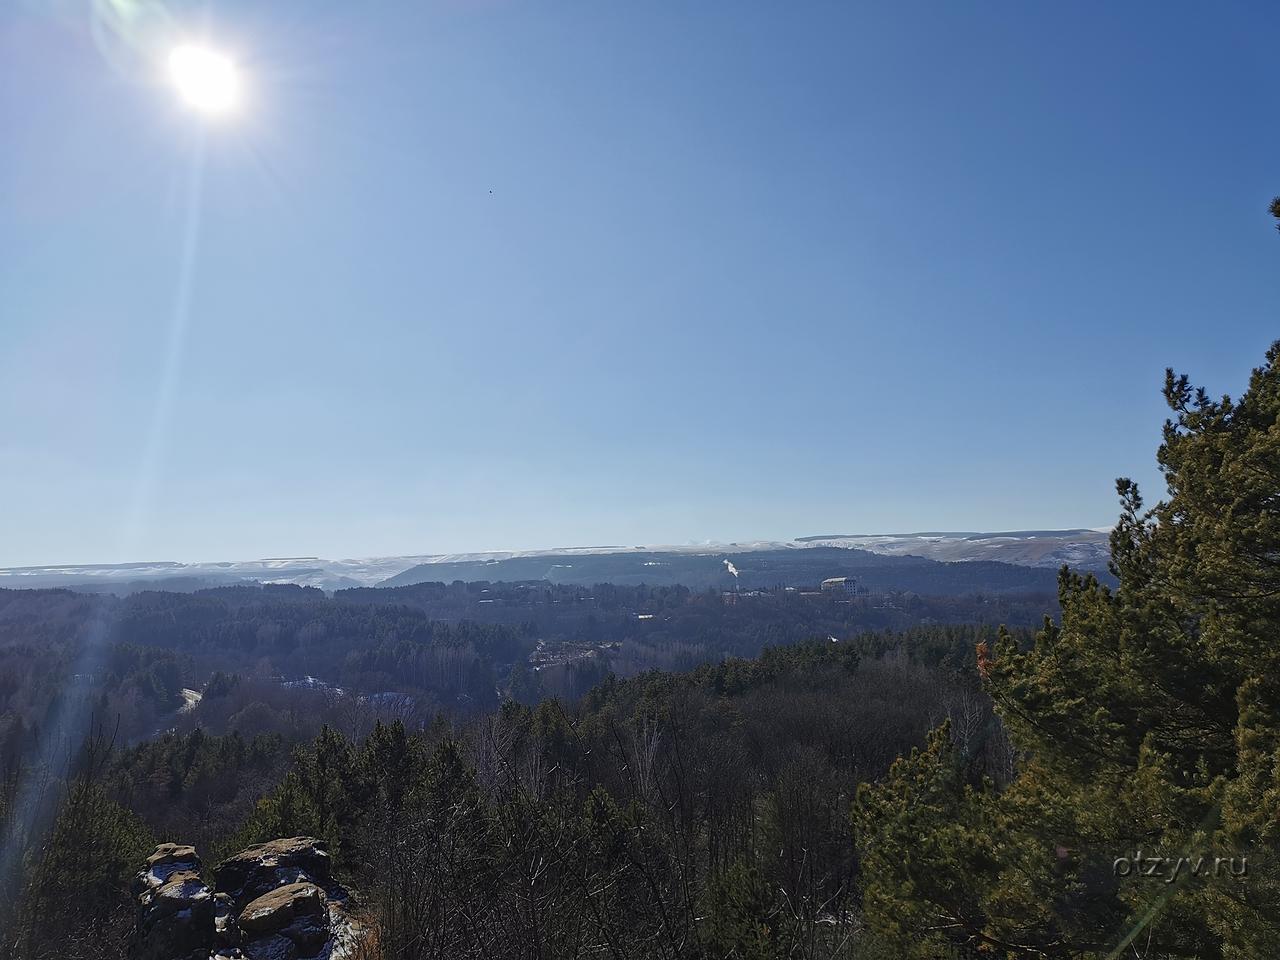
point(271, 902)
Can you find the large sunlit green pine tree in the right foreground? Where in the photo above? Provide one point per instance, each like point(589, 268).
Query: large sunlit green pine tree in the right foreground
point(1148, 723)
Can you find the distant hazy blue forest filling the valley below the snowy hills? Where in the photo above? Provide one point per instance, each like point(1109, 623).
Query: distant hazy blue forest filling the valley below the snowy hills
point(266, 653)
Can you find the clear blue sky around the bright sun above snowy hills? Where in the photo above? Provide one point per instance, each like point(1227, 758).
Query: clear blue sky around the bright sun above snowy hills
point(510, 276)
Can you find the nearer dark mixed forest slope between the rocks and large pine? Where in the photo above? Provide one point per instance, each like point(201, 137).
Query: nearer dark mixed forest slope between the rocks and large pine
point(556, 828)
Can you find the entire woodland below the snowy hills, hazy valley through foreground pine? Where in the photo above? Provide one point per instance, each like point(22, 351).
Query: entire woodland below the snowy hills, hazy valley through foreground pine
point(771, 774)
